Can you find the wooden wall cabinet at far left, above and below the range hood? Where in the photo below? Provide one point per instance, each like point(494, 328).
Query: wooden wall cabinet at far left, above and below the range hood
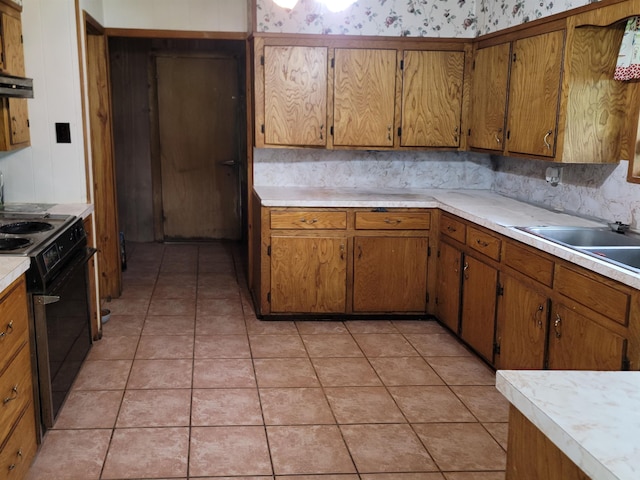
point(14, 115)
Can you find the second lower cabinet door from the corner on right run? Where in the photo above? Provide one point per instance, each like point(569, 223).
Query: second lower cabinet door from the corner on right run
point(477, 325)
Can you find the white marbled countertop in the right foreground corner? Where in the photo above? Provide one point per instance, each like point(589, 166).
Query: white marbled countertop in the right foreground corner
point(592, 417)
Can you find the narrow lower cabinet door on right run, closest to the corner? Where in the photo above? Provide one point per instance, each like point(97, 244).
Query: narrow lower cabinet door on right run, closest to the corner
point(448, 286)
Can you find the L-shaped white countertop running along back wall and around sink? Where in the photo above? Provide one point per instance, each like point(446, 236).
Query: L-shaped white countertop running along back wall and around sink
point(495, 212)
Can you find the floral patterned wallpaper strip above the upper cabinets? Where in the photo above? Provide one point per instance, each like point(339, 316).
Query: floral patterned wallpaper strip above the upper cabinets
point(408, 18)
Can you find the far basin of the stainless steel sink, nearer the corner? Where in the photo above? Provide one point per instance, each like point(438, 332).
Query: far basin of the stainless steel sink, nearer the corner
point(585, 236)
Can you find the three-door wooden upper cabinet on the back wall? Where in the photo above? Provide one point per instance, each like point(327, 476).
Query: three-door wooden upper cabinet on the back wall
point(340, 93)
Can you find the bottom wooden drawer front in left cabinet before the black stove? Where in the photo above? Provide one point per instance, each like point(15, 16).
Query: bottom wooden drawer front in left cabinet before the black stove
point(20, 449)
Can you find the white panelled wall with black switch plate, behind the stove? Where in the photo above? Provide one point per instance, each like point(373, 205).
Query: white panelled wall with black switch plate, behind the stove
point(47, 171)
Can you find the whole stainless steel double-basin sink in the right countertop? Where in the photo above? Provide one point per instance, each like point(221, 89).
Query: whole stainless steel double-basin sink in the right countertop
point(619, 249)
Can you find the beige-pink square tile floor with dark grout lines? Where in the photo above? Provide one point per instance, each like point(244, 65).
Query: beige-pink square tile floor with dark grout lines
point(187, 383)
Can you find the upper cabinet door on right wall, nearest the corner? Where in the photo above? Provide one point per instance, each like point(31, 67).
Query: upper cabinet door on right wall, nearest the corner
point(489, 97)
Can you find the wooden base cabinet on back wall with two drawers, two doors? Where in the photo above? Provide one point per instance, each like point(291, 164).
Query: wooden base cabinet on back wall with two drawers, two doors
point(340, 261)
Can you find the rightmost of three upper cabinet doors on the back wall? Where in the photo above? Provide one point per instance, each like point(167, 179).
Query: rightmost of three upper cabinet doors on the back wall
point(432, 98)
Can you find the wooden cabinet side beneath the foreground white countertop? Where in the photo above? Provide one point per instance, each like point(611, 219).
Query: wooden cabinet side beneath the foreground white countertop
point(532, 456)
